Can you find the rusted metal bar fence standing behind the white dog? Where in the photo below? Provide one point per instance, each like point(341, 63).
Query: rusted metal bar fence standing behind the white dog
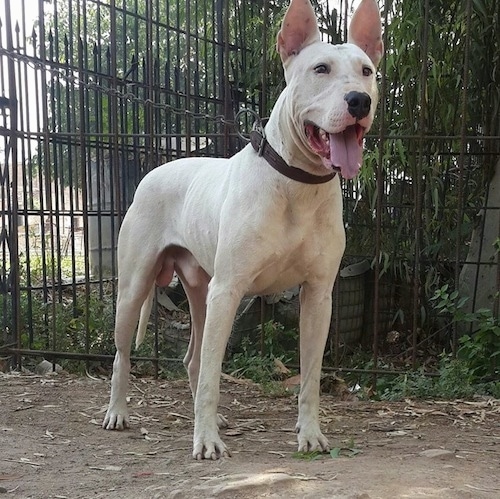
point(94, 94)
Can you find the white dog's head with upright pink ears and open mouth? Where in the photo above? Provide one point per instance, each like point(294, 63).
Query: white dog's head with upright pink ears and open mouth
point(332, 88)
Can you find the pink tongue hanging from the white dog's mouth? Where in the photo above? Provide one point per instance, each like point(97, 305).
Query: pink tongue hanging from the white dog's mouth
point(346, 152)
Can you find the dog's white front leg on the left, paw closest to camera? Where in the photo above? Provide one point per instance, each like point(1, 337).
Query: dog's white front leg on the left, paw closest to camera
point(222, 303)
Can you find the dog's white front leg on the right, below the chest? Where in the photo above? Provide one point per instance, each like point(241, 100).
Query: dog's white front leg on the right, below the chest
point(315, 316)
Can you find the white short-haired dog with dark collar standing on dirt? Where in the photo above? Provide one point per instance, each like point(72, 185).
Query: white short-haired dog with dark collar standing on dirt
point(265, 220)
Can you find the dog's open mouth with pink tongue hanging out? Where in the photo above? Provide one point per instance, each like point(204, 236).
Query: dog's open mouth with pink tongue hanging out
point(340, 151)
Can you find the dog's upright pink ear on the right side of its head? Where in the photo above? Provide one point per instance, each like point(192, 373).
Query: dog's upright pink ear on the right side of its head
point(365, 30)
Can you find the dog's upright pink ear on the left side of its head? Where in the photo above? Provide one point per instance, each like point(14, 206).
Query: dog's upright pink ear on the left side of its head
point(299, 29)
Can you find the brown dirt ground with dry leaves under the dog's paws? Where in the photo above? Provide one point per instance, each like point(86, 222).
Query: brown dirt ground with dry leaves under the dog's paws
point(52, 445)
